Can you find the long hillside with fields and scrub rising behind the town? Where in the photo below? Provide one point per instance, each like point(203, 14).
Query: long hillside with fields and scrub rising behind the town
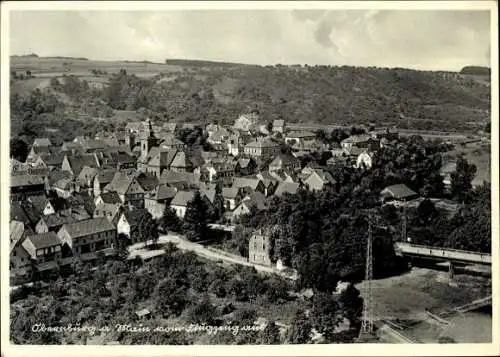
point(204, 91)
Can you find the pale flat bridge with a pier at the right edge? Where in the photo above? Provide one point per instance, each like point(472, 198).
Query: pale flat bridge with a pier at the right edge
point(452, 256)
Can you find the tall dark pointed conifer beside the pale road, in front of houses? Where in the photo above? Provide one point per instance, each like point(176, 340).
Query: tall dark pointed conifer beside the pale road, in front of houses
point(195, 219)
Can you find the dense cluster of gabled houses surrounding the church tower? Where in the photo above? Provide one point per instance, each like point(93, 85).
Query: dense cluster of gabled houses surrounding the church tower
point(76, 199)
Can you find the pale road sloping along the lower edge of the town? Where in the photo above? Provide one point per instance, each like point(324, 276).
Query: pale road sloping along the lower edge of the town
point(205, 252)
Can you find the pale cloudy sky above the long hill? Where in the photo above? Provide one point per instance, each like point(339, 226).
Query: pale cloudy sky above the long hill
point(421, 39)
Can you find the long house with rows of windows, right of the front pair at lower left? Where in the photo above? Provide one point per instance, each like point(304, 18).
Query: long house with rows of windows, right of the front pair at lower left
point(88, 236)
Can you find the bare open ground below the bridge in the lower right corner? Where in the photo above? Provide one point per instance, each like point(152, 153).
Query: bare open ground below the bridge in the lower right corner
point(404, 299)
